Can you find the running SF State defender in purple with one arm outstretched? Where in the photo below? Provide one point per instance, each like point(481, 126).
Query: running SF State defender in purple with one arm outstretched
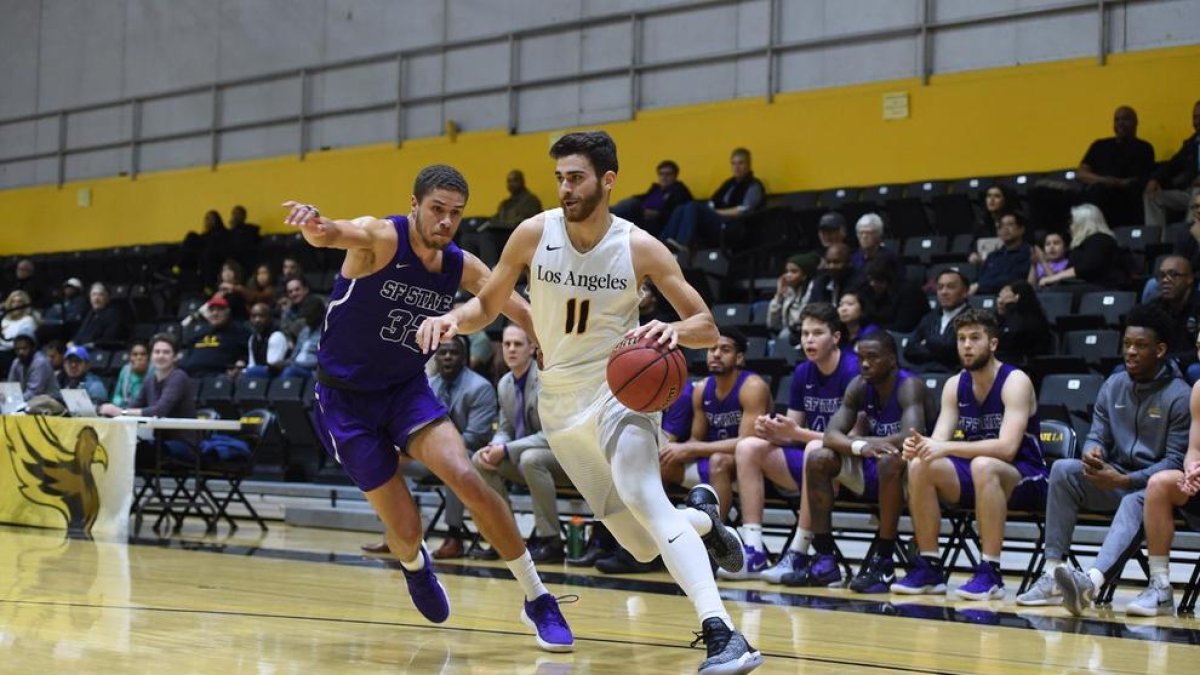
point(374, 398)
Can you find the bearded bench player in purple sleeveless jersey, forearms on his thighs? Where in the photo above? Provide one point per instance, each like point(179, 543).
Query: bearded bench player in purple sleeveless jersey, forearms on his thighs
point(994, 408)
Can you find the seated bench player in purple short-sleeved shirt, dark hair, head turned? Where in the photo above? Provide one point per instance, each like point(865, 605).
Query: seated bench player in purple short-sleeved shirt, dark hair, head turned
point(776, 450)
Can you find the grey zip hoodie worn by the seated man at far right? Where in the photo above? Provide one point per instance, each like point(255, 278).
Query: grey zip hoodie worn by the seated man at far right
point(1143, 428)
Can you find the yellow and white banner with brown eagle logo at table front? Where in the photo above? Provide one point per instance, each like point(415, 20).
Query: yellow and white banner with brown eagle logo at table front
point(67, 474)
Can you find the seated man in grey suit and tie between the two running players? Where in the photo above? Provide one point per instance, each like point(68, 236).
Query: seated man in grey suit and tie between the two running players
point(519, 451)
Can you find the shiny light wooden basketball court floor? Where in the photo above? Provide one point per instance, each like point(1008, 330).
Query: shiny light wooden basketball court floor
point(303, 601)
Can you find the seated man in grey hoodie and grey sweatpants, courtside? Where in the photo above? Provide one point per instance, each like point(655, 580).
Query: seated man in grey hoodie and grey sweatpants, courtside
point(1139, 428)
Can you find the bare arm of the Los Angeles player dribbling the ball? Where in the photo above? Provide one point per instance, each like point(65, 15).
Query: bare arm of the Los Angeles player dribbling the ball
point(695, 328)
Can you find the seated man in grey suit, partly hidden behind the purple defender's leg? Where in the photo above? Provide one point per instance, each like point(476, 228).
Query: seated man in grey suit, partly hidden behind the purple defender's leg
point(473, 408)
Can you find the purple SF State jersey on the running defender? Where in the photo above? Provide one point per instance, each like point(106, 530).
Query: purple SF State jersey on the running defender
point(370, 334)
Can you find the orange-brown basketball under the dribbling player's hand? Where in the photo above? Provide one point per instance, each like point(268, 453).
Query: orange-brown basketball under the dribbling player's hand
point(646, 377)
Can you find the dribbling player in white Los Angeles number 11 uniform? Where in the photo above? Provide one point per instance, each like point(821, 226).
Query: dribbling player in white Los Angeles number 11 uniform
point(585, 267)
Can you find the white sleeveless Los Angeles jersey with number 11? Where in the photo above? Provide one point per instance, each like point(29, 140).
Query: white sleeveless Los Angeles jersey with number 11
point(583, 303)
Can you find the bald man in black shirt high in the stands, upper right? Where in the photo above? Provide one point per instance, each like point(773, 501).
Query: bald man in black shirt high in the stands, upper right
point(1115, 170)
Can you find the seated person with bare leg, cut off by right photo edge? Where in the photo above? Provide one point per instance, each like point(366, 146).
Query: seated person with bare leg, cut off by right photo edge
point(1169, 493)
